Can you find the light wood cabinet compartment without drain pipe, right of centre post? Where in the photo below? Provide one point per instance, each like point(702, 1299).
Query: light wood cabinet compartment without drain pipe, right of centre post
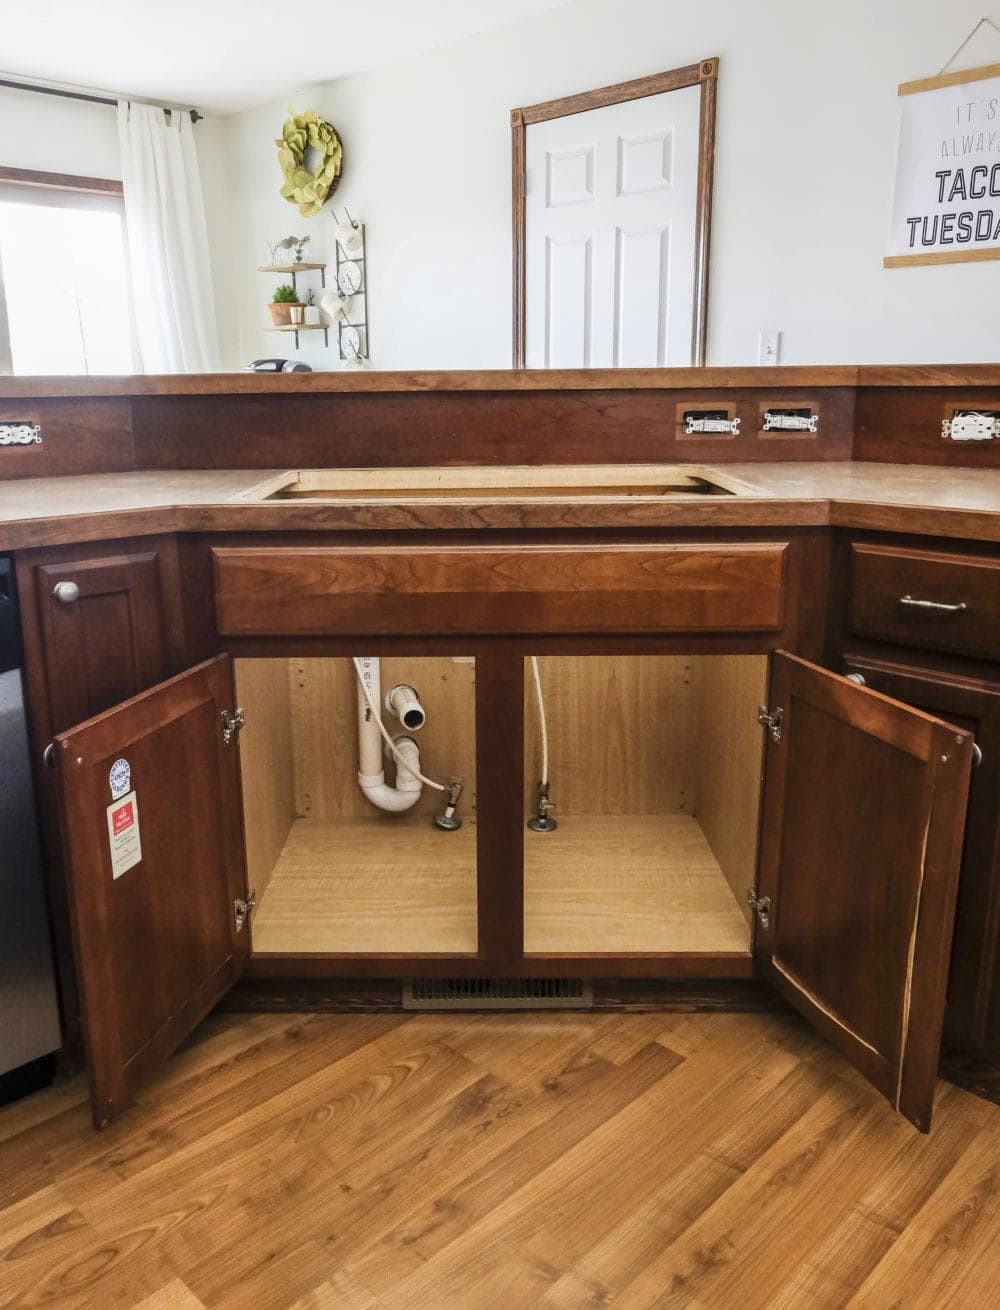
point(655, 775)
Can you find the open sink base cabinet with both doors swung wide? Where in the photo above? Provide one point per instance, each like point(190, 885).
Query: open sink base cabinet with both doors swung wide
point(851, 780)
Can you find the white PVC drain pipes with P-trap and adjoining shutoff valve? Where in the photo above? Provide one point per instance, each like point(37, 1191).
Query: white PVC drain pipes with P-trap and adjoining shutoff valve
point(404, 751)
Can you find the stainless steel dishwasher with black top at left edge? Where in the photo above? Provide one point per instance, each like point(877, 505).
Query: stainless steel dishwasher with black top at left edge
point(29, 1016)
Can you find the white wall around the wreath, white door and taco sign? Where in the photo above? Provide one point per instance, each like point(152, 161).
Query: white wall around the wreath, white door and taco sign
point(808, 122)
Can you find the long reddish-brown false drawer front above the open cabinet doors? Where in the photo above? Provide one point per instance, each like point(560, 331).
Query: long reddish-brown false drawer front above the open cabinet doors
point(398, 590)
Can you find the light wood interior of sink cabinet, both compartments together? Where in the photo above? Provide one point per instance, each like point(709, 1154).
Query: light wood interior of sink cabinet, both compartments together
point(655, 772)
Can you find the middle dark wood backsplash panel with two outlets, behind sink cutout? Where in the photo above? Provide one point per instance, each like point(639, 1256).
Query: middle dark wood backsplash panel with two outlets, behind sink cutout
point(466, 428)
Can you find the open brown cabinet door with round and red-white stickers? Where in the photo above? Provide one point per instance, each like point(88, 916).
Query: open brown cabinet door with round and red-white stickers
point(153, 826)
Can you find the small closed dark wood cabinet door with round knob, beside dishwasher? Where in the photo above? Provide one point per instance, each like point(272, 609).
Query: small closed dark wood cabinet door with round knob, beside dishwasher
point(106, 632)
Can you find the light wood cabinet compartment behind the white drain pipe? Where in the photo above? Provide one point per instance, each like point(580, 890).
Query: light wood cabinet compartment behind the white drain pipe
point(334, 874)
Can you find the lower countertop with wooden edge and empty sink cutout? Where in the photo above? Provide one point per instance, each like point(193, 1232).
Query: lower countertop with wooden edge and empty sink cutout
point(880, 497)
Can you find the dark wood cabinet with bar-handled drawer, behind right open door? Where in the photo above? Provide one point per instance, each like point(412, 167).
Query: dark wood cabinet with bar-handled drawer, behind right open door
point(923, 626)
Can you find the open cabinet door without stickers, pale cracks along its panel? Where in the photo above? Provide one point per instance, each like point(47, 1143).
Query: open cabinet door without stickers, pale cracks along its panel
point(863, 823)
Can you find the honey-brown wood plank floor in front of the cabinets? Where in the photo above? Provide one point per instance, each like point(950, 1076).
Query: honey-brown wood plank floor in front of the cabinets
point(520, 1161)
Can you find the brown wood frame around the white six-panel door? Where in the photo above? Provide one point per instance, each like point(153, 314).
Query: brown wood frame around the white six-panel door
point(704, 74)
